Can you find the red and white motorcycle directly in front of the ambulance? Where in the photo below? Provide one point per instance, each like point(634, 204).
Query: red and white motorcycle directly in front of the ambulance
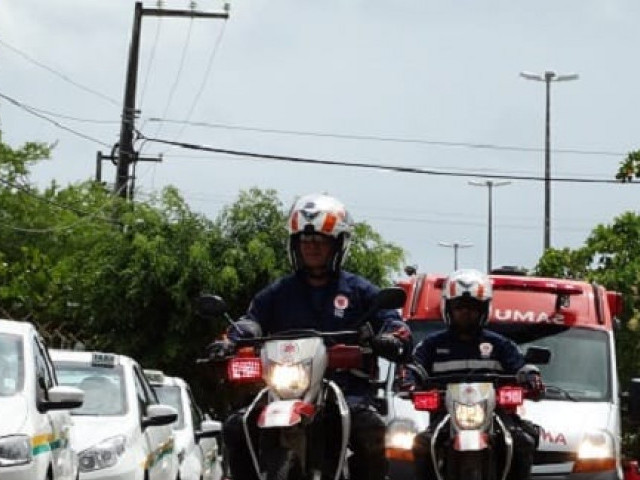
point(470, 439)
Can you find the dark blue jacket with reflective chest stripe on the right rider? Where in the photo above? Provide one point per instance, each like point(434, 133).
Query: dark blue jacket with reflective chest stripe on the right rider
point(441, 353)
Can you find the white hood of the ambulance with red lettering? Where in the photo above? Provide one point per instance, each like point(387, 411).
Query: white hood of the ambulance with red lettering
point(557, 419)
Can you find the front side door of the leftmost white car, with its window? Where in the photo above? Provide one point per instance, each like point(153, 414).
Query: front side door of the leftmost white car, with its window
point(52, 433)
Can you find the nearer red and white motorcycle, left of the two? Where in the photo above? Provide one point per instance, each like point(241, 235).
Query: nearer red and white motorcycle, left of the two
point(298, 425)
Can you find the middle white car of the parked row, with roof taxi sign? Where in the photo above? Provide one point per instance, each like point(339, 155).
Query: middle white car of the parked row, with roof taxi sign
point(121, 432)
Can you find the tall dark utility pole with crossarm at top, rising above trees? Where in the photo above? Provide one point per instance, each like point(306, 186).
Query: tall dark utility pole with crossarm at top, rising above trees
point(126, 154)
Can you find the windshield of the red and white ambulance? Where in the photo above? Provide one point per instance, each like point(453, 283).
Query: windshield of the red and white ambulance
point(569, 347)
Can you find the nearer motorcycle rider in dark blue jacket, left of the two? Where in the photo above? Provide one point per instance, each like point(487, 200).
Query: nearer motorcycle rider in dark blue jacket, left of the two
point(320, 295)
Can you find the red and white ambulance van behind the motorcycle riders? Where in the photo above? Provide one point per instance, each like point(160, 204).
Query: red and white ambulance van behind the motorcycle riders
point(579, 415)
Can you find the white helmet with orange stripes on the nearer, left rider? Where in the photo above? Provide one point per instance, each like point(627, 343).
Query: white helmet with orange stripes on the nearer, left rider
point(319, 214)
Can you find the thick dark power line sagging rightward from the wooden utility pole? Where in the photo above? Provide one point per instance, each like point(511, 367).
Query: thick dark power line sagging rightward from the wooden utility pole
point(389, 168)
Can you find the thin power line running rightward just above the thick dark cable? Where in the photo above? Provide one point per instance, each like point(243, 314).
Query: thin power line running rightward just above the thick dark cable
point(378, 138)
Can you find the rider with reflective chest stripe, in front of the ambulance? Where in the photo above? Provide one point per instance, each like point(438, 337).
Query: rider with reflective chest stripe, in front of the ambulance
point(464, 346)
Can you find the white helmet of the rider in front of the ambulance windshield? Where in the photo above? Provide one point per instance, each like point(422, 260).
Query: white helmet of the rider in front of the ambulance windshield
point(467, 283)
